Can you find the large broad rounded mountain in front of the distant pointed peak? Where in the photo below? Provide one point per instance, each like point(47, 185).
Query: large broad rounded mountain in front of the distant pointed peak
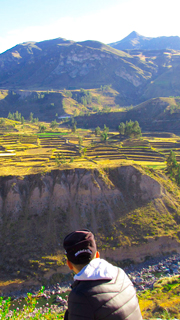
point(60, 64)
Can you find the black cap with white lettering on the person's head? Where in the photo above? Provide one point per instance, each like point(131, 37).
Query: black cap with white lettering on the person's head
point(80, 246)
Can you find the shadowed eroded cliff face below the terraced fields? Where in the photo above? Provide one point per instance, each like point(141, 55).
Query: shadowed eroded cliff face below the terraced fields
point(37, 211)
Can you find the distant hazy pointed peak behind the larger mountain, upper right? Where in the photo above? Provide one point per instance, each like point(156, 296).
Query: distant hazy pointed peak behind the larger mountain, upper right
point(138, 42)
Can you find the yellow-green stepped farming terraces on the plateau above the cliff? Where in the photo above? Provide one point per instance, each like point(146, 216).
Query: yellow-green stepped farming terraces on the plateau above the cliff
point(24, 150)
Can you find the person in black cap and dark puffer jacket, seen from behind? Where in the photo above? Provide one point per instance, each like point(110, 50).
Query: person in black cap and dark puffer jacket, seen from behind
point(100, 290)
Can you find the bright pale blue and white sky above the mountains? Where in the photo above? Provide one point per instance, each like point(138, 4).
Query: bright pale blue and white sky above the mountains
point(103, 20)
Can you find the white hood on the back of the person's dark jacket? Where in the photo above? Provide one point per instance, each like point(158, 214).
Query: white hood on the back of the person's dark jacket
point(97, 269)
